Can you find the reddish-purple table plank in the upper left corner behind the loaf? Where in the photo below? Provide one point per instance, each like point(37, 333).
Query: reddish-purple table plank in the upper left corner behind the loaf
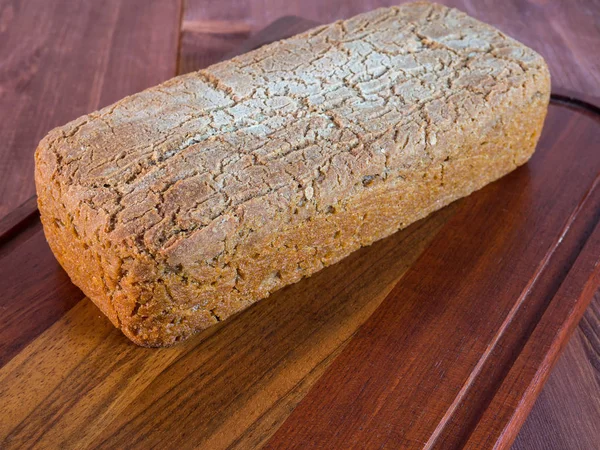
point(61, 59)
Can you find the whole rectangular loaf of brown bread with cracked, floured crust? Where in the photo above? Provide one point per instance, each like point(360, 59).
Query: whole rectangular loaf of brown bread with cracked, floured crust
point(181, 205)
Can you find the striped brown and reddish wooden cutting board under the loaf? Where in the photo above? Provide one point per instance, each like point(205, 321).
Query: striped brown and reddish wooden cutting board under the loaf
point(439, 336)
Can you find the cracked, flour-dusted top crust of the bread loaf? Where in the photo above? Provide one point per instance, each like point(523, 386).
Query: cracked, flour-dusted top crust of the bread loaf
point(292, 127)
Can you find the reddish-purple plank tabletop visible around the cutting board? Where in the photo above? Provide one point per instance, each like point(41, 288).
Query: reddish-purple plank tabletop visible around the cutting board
point(60, 59)
